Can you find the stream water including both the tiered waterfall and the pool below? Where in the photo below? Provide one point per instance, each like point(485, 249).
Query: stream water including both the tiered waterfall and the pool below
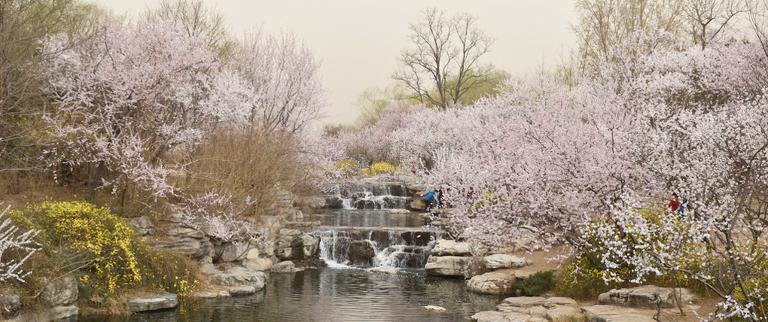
point(352, 241)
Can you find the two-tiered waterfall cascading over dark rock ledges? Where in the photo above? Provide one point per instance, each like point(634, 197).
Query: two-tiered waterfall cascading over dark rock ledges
point(366, 233)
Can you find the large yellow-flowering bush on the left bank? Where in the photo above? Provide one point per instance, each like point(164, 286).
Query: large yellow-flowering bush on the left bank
point(101, 244)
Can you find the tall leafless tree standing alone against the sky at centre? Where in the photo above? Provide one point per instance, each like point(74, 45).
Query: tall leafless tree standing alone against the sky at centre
point(443, 64)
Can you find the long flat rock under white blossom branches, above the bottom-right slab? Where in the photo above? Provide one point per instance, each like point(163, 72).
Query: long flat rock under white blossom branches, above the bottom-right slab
point(645, 297)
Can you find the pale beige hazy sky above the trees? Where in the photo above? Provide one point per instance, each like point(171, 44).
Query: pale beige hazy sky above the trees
point(358, 41)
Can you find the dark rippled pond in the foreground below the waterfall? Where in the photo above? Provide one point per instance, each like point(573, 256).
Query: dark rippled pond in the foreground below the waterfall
point(338, 294)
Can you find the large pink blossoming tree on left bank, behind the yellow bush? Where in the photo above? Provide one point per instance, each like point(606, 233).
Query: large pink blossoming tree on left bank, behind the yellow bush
point(132, 95)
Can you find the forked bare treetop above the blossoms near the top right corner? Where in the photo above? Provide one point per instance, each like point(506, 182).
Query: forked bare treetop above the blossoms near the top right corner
point(710, 18)
